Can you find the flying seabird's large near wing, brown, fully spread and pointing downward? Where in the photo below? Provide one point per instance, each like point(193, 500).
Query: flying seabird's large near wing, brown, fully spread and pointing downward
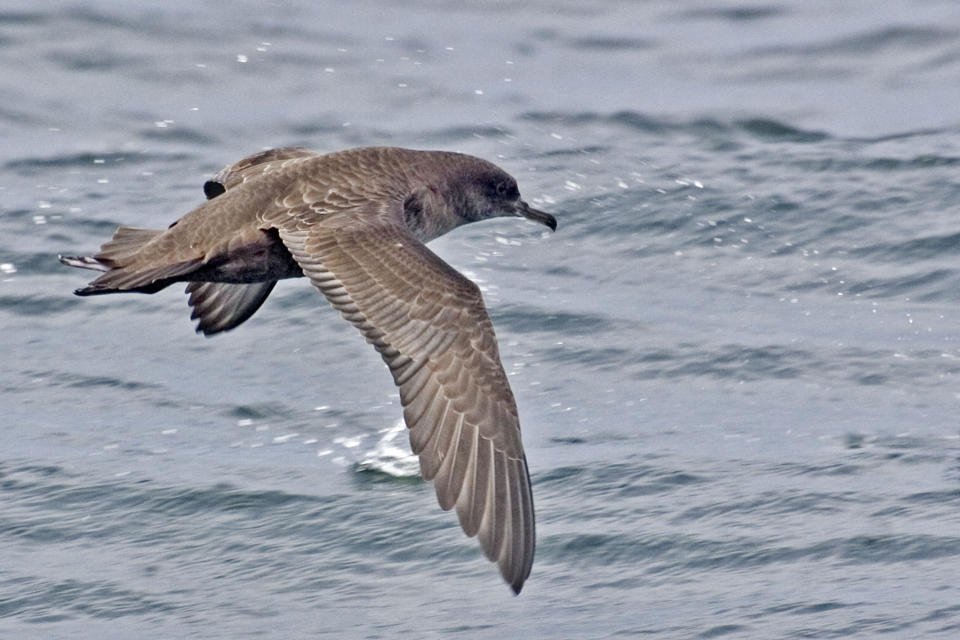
point(430, 326)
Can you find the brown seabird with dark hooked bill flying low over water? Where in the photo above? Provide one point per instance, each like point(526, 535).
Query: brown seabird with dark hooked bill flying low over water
point(356, 223)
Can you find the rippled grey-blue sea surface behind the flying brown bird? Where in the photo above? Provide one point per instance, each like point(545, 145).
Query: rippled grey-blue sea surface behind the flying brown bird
point(737, 361)
